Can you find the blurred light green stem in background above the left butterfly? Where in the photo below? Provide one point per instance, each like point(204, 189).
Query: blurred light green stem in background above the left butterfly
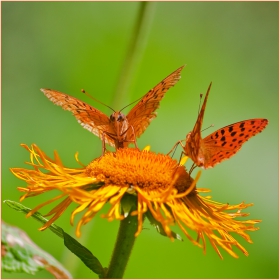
point(134, 53)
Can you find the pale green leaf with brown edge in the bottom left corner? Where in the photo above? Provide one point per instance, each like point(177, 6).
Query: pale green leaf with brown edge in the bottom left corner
point(21, 254)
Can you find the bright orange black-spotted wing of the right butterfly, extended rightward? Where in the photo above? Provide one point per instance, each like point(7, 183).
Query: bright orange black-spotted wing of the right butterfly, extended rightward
point(227, 141)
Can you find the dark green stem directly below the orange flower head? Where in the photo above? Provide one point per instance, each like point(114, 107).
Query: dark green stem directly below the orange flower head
point(123, 247)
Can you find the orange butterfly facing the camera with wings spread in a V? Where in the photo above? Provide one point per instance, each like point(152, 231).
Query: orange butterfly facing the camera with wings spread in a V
point(118, 130)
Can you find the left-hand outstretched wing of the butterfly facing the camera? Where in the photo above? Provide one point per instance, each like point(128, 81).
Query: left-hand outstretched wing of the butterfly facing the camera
point(90, 118)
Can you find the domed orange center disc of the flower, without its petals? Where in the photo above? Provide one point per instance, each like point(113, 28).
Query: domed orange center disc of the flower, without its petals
point(131, 167)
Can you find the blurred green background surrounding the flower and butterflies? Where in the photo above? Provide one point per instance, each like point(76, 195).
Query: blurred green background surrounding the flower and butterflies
point(72, 45)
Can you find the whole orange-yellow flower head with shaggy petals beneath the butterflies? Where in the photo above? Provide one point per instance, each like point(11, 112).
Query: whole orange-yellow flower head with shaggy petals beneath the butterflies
point(153, 184)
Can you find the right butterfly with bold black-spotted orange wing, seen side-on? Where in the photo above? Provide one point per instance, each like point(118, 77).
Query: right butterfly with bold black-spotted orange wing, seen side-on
point(221, 144)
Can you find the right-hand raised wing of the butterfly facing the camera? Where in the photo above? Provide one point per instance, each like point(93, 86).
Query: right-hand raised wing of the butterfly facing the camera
point(143, 112)
